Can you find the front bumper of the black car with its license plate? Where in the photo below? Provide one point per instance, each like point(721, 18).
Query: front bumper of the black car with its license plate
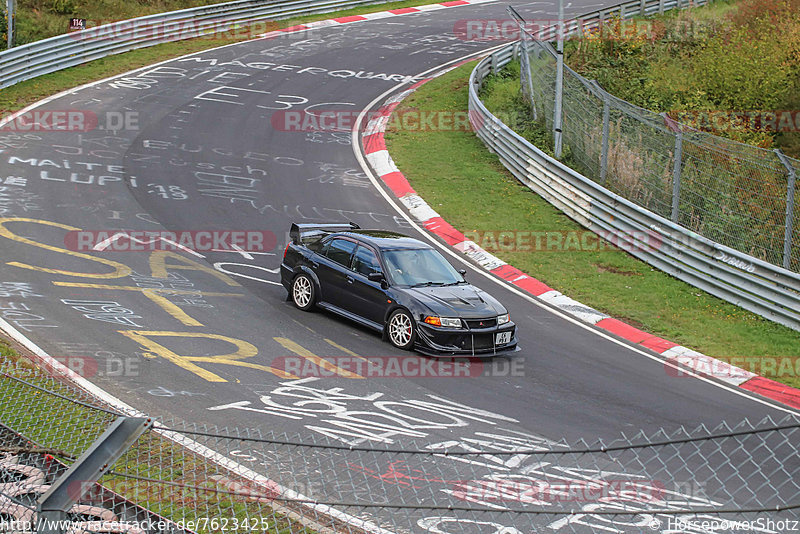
point(437, 341)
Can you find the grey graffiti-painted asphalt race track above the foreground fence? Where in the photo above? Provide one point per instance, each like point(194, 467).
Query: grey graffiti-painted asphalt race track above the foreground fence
point(199, 150)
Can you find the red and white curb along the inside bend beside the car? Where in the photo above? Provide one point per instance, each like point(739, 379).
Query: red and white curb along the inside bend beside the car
point(379, 159)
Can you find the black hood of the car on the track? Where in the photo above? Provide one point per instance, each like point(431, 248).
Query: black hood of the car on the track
point(463, 301)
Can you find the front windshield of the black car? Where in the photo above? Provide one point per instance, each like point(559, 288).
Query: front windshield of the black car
point(418, 267)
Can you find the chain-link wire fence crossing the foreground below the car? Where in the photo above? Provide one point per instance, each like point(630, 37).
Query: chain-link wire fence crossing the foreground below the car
point(183, 477)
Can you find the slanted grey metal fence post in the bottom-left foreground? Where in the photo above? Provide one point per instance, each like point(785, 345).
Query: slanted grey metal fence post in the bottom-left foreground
point(84, 473)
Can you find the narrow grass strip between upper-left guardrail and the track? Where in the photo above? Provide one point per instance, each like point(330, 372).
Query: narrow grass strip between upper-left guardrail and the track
point(25, 93)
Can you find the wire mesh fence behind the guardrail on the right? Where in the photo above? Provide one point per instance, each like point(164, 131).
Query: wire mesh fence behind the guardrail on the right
point(735, 194)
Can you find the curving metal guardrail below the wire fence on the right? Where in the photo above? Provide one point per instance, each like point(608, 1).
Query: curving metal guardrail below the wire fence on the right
point(753, 284)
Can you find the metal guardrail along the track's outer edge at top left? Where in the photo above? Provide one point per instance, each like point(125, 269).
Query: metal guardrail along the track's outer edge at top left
point(63, 51)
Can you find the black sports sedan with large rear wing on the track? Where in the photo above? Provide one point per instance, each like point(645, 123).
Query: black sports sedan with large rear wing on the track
point(396, 285)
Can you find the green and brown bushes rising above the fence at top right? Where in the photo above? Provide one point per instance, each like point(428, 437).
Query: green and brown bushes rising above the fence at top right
point(726, 57)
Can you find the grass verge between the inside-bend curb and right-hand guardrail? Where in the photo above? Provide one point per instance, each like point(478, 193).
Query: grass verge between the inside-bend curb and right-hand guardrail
point(455, 173)
